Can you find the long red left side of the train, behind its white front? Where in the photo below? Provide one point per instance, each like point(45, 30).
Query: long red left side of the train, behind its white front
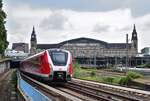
point(37, 65)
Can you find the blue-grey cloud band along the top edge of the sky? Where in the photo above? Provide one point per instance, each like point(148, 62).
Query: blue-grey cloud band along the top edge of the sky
point(138, 7)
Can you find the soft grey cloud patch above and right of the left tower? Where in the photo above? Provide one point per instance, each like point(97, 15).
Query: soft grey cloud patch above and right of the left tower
point(56, 21)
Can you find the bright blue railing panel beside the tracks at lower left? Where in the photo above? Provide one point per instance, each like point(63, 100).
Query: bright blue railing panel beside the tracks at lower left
point(30, 93)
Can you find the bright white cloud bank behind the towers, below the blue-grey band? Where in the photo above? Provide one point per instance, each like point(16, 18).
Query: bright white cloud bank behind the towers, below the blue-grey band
point(53, 26)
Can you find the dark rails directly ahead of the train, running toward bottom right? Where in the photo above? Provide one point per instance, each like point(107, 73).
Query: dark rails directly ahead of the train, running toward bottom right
point(97, 93)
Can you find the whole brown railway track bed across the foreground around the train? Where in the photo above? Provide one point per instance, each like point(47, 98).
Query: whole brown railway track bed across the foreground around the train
point(85, 91)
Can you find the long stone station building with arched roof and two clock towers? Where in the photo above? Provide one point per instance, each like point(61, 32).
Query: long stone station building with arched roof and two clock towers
point(93, 51)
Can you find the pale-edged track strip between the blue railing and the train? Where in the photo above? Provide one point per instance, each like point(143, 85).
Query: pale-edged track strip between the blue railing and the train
point(58, 92)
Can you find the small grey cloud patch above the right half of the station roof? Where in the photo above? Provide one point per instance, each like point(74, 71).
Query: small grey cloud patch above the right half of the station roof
point(101, 28)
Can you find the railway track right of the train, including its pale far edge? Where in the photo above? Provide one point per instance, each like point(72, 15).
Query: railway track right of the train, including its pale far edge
point(115, 93)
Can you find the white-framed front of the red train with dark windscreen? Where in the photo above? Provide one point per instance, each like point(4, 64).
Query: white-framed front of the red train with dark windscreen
point(61, 65)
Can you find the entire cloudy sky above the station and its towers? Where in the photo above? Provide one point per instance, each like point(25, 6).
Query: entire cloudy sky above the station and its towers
point(59, 20)
